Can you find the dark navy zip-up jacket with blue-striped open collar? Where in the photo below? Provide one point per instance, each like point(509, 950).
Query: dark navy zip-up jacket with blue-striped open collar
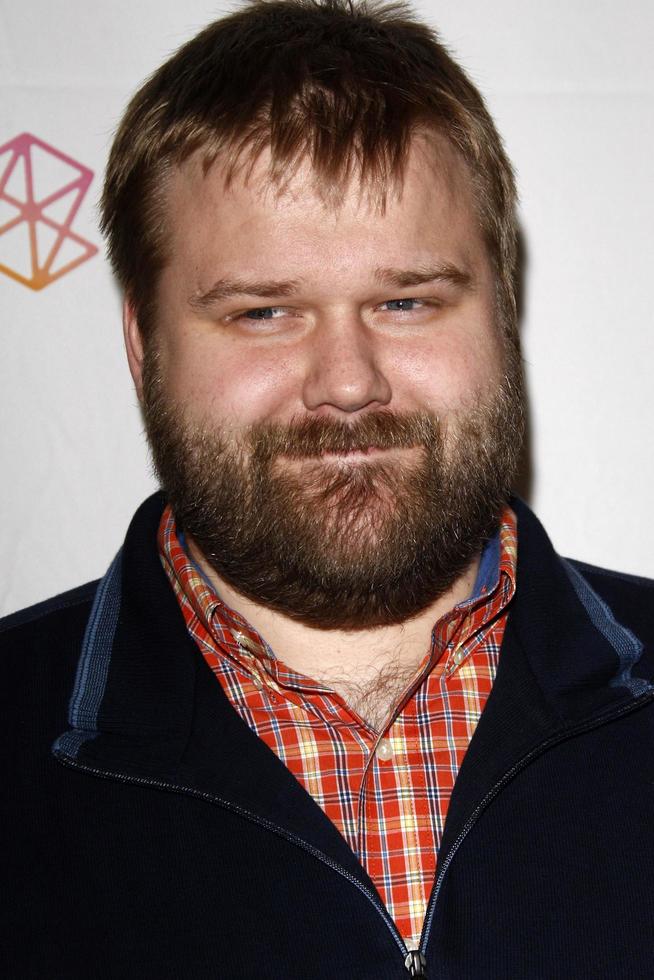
point(148, 833)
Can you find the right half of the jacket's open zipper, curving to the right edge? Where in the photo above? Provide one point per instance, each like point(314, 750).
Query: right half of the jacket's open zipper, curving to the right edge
point(496, 789)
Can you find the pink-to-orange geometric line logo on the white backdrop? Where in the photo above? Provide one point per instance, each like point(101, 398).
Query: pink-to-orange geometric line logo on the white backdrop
point(41, 190)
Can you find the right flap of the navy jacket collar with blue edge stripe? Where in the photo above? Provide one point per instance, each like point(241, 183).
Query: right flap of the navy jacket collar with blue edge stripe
point(565, 664)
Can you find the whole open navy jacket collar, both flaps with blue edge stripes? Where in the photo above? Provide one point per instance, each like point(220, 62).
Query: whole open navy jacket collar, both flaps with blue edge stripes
point(146, 705)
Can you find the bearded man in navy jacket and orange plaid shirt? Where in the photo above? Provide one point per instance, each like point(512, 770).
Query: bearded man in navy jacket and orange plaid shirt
point(337, 709)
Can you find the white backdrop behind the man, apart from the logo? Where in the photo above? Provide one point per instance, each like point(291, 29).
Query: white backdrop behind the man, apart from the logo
point(571, 85)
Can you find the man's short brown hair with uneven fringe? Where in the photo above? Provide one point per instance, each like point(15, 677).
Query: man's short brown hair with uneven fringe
point(345, 84)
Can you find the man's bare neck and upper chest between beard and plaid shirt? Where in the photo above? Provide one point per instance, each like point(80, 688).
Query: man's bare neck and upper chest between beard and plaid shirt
point(372, 668)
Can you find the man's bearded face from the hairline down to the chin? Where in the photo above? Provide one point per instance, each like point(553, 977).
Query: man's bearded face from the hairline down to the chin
point(329, 398)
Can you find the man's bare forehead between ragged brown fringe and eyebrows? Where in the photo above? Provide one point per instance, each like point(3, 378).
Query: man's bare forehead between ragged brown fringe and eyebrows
point(295, 219)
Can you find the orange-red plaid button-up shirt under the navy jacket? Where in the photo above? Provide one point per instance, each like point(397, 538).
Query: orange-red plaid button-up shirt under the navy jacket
point(386, 792)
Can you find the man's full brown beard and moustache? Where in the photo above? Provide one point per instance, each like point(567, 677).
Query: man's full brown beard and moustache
point(332, 543)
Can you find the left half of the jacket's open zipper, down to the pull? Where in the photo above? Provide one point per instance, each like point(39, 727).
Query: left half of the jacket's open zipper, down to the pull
point(410, 958)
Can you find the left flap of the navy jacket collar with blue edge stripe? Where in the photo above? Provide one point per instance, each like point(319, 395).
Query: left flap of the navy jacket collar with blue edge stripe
point(146, 707)
